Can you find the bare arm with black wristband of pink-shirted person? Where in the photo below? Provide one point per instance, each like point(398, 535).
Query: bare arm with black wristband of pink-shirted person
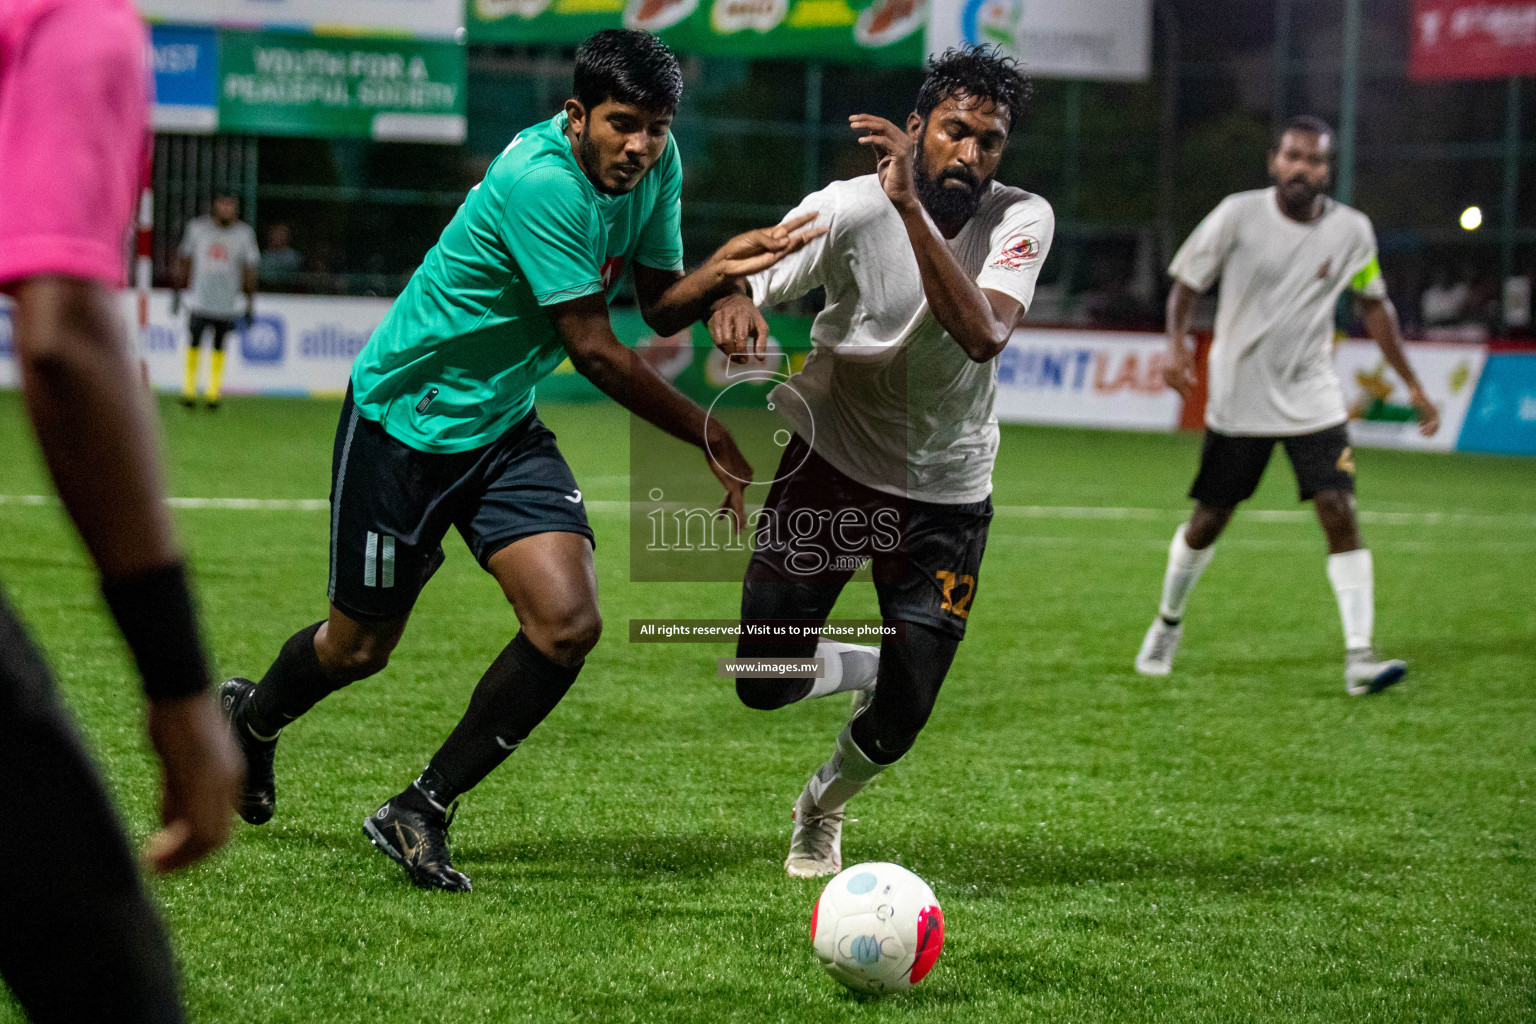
point(79, 380)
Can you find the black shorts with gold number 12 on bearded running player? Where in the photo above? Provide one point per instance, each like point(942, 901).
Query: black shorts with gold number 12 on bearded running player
point(821, 526)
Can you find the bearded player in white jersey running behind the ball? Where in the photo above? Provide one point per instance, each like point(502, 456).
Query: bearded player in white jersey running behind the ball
point(929, 268)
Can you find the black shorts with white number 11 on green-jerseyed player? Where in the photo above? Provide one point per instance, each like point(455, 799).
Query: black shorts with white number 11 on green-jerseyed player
point(391, 506)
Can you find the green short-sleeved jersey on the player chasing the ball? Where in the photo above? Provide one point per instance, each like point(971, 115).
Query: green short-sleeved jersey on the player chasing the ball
point(455, 360)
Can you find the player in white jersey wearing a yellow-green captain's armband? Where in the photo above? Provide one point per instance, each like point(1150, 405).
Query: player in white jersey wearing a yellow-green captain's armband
point(1285, 257)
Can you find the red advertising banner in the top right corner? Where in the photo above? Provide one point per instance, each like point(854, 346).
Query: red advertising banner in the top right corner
point(1472, 39)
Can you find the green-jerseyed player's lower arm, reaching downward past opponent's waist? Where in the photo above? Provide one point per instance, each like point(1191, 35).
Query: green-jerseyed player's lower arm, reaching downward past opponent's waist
point(632, 383)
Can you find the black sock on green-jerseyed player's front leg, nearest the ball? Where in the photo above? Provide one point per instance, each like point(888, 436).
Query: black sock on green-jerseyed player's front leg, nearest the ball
point(515, 695)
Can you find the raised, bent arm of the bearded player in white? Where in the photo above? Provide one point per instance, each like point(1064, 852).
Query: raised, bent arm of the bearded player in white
point(981, 322)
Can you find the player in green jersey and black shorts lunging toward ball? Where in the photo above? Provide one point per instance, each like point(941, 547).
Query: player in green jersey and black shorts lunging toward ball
point(440, 429)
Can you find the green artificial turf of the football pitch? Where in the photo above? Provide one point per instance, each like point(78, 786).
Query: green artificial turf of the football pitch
point(1240, 842)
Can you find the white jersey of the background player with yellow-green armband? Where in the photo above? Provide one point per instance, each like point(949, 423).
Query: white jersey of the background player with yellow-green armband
point(1273, 355)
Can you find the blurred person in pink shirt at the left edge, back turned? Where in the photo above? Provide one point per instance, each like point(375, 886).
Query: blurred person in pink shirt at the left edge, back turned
point(79, 937)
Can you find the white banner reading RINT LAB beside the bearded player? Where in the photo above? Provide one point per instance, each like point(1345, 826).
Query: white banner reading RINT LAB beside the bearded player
point(1087, 378)
